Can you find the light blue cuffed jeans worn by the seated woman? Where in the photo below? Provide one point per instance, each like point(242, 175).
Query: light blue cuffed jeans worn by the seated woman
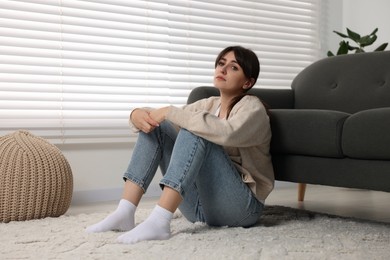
point(201, 171)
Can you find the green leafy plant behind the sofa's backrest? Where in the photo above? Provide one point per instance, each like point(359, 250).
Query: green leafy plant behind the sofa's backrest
point(361, 42)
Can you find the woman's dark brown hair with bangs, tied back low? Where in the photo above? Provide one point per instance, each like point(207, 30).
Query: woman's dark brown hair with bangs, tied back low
point(249, 63)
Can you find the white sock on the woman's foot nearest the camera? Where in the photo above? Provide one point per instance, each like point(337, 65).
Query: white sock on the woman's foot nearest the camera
point(156, 227)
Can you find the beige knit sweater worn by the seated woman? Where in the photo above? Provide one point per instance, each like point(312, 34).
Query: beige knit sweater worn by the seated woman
point(245, 135)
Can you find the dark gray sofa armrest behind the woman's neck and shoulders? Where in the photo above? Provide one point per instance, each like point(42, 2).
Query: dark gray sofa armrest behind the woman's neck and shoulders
point(273, 98)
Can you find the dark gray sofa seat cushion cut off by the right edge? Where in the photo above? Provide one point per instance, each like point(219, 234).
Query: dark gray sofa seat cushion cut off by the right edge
point(366, 135)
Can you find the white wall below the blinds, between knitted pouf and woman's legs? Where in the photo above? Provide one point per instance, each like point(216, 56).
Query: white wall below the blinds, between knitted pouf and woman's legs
point(98, 169)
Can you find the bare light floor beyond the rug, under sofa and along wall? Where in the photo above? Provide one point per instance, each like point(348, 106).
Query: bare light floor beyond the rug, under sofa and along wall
point(364, 204)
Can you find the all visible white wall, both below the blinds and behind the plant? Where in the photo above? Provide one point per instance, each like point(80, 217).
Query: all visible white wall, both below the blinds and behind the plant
point(98, 168)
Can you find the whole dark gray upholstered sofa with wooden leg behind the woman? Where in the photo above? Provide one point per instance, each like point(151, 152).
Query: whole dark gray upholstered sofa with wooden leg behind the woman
point(333, 126)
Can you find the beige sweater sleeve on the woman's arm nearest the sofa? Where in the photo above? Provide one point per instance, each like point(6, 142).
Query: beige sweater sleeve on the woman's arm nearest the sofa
point(247, 125)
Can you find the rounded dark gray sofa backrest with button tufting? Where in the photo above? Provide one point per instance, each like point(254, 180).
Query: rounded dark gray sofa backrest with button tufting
point(347, 83)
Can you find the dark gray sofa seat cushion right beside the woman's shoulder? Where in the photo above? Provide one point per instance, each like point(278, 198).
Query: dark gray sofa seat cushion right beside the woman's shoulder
point(307, 132)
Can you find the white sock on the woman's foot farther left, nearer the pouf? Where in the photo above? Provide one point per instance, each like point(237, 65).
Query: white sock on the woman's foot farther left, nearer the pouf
point(122, 219)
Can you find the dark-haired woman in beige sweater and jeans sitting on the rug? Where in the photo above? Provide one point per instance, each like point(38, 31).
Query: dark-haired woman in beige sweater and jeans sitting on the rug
point(214, 156)
